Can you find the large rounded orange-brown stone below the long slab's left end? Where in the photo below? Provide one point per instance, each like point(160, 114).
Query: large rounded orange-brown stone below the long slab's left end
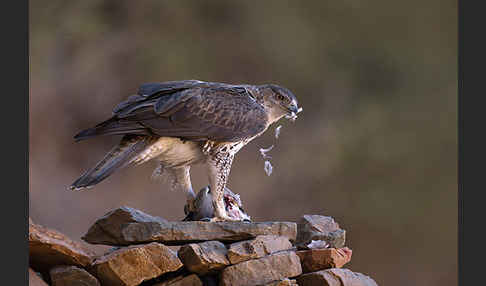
point(132, 265)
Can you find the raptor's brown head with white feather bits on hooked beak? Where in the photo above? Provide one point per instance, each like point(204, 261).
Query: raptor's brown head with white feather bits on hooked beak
point(279, 102)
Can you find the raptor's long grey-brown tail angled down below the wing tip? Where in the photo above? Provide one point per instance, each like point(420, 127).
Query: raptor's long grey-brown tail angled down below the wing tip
point(119, 157)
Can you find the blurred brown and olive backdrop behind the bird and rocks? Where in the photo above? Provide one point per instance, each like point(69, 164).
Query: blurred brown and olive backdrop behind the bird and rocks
point(375, 147)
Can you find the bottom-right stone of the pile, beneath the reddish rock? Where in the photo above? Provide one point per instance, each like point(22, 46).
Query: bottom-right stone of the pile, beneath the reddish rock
point(335, 277)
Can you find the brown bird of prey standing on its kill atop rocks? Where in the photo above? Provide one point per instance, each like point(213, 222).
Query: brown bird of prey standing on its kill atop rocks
point(182, 123)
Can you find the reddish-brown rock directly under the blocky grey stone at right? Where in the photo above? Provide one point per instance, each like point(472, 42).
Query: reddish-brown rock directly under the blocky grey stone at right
point(319, 259)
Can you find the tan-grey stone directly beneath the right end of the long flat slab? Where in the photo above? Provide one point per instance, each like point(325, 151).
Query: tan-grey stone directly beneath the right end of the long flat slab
point(260, 246)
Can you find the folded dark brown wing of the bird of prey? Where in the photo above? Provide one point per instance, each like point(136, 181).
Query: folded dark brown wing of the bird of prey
point(188, 110)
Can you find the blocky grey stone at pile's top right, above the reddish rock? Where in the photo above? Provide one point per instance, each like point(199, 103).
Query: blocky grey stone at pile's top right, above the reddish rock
point(312, 228)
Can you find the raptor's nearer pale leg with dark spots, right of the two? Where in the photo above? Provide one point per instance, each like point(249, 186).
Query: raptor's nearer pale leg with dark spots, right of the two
point(219, 166)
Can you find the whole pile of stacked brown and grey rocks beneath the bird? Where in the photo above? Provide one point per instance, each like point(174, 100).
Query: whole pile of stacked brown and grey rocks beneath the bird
point(310, 252)
